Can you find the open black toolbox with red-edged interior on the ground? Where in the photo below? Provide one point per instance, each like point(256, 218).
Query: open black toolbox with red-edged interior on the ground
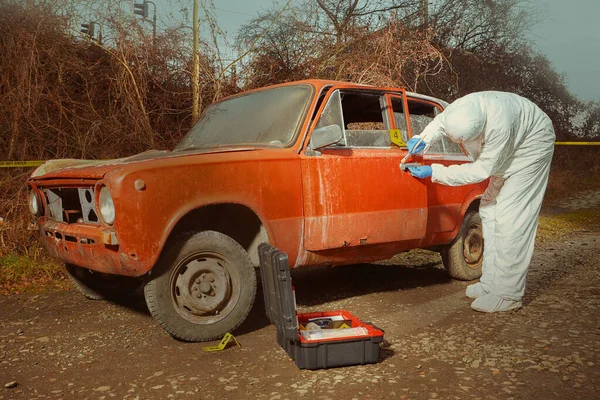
point(338, 339)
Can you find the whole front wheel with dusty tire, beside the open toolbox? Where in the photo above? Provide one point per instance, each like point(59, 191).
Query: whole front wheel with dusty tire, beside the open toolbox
point(203, 286)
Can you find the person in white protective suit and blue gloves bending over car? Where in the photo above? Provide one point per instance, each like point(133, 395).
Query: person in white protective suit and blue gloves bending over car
point(511, 141)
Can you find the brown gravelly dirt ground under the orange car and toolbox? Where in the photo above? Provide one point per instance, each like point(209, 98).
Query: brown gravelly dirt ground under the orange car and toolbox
point(60, 345)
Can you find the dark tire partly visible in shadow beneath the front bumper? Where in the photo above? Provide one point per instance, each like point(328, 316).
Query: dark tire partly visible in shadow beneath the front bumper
point(99, 286)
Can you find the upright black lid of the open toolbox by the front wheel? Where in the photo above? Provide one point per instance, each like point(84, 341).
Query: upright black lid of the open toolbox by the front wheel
point(277, 290)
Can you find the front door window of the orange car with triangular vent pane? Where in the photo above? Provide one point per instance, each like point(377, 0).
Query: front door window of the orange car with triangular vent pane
point(362, 116)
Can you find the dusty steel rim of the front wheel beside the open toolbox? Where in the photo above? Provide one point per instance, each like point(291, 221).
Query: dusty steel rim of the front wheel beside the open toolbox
point(205, 288)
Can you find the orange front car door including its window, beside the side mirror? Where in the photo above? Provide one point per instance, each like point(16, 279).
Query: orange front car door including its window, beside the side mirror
point(354, 192)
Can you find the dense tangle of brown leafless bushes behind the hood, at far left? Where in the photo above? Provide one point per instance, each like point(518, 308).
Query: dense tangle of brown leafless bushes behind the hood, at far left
point(65, 96)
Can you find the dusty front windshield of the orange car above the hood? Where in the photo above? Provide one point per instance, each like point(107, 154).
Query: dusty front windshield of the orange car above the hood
point(267, 117)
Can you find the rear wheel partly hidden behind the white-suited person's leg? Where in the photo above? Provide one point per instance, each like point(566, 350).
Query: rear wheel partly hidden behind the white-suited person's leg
point(463, 257)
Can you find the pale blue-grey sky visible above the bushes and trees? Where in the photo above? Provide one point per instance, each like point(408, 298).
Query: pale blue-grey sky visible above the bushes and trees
point(568, 33)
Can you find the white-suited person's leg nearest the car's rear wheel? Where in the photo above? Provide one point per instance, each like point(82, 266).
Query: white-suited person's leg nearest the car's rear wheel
point(487, 209)
